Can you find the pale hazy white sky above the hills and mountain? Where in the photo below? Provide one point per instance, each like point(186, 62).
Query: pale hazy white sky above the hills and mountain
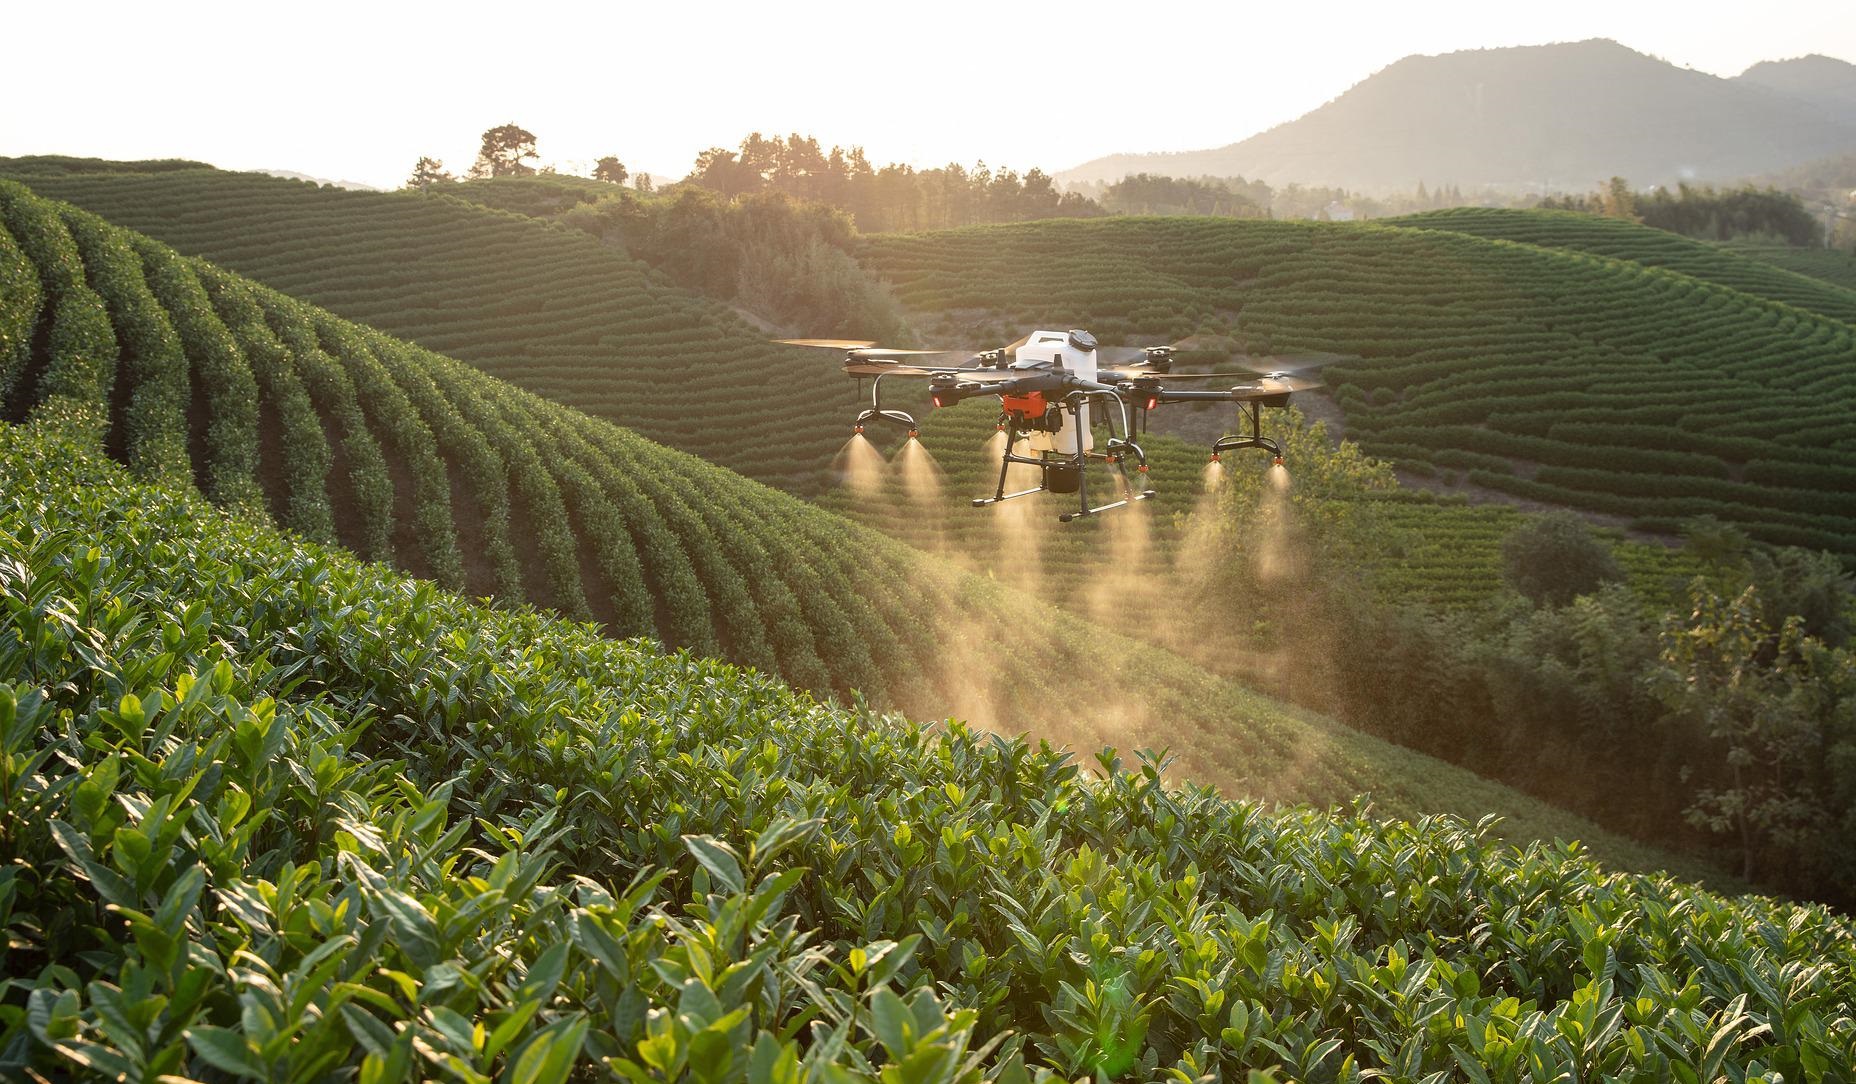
point(359, 90)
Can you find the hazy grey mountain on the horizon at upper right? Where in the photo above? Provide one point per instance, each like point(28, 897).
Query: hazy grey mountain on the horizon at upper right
point(1551, 116)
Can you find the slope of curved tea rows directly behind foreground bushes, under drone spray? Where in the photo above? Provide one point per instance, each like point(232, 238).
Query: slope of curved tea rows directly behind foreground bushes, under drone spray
point(346, 435)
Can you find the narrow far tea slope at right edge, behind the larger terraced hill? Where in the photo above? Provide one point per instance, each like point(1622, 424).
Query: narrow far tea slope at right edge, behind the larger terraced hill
point(1616, 239)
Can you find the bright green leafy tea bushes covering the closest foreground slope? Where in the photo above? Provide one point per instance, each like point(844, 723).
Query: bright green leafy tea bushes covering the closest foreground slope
point(281, 816)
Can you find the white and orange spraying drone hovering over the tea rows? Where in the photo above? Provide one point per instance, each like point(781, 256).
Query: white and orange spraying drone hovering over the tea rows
point(1050, 383)
